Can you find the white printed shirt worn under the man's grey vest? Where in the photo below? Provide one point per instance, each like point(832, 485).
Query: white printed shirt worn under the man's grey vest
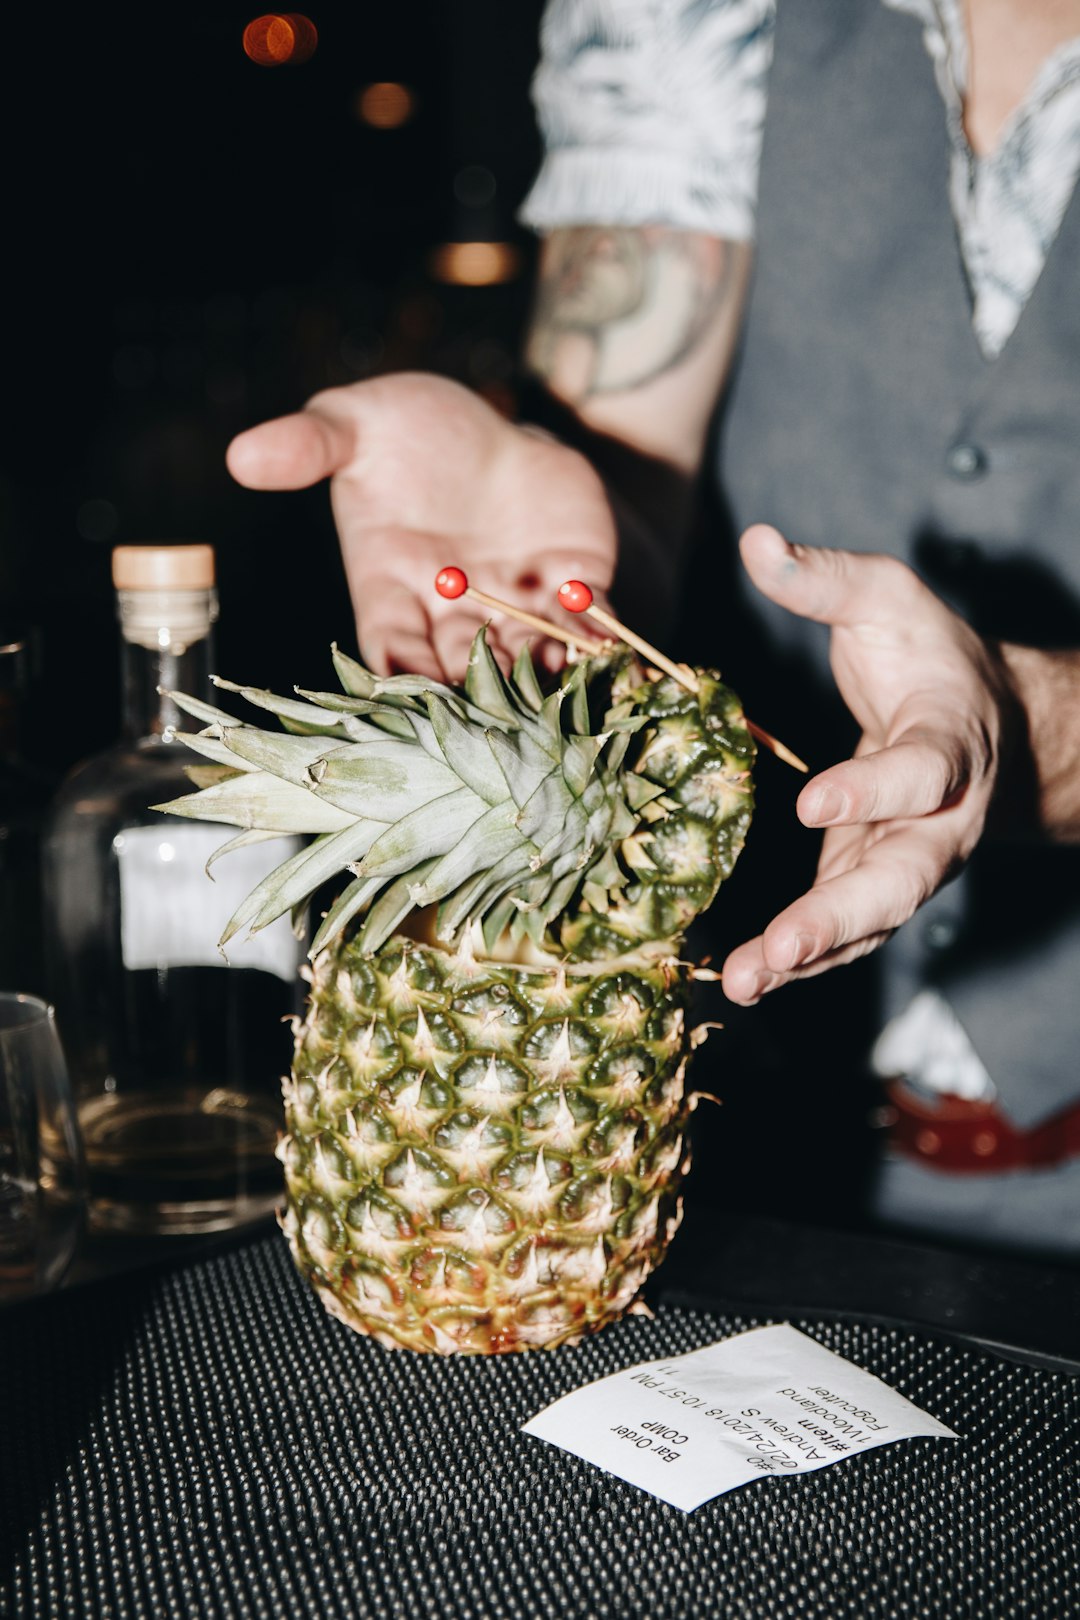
point(653, 111)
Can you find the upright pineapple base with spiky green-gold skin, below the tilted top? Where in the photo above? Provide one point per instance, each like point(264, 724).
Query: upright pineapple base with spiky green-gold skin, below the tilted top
point(483, 1157)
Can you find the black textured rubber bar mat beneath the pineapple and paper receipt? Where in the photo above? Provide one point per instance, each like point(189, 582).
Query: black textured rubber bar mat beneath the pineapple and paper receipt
point(208, 1443)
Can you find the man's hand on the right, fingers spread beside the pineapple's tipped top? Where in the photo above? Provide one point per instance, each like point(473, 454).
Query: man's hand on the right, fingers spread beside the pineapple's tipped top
point(937, 709)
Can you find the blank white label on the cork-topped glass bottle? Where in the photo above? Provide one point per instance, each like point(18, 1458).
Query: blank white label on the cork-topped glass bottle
point(172, 914)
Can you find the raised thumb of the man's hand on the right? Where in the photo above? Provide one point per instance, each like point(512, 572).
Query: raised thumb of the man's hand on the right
point(833, 587)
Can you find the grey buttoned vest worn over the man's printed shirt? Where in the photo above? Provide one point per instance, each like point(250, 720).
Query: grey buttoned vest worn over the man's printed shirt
point(862, 414)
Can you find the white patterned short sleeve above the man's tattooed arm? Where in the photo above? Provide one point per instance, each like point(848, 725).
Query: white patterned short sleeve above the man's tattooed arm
point(652, 114)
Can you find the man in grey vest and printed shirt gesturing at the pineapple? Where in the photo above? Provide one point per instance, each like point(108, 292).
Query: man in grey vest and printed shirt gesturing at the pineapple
point(904, 383)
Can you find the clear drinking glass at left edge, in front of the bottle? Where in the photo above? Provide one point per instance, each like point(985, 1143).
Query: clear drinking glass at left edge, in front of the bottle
point(43, 1177)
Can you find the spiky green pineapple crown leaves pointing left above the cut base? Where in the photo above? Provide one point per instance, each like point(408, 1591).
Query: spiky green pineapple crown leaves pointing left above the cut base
point(495, 803)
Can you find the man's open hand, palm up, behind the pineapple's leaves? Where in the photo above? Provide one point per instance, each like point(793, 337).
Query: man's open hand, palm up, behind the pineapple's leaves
point(425, 474)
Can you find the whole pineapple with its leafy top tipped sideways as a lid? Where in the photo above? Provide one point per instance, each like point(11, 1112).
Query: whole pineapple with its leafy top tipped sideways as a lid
point(487, 1111)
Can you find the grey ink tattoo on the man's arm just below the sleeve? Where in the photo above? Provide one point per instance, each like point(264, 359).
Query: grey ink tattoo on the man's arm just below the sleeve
point(621, 307)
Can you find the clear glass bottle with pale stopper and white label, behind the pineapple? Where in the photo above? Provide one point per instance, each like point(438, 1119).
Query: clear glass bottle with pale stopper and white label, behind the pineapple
point(176, 1054)
